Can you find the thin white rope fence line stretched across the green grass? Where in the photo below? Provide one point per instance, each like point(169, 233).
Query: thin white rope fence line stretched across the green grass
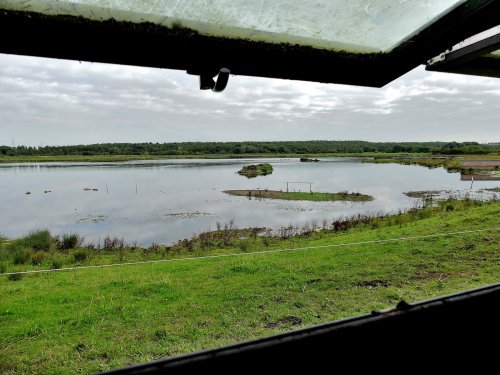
point(258, 252)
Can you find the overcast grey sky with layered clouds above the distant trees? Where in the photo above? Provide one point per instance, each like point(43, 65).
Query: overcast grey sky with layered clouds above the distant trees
point(56, 102)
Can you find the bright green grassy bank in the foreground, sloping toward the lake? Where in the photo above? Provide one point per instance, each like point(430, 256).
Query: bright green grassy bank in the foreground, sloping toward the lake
point(90, 320)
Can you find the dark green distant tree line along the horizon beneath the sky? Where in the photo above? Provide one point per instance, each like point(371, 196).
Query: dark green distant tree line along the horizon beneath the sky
point(285, 147)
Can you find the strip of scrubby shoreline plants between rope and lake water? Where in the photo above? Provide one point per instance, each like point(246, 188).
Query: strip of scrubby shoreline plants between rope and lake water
point(40, 249)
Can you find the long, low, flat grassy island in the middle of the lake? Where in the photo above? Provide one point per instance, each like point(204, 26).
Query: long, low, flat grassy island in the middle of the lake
point(302, 196)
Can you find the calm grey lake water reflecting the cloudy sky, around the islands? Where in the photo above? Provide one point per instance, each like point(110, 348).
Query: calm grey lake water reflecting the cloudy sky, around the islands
point(164, 201)
